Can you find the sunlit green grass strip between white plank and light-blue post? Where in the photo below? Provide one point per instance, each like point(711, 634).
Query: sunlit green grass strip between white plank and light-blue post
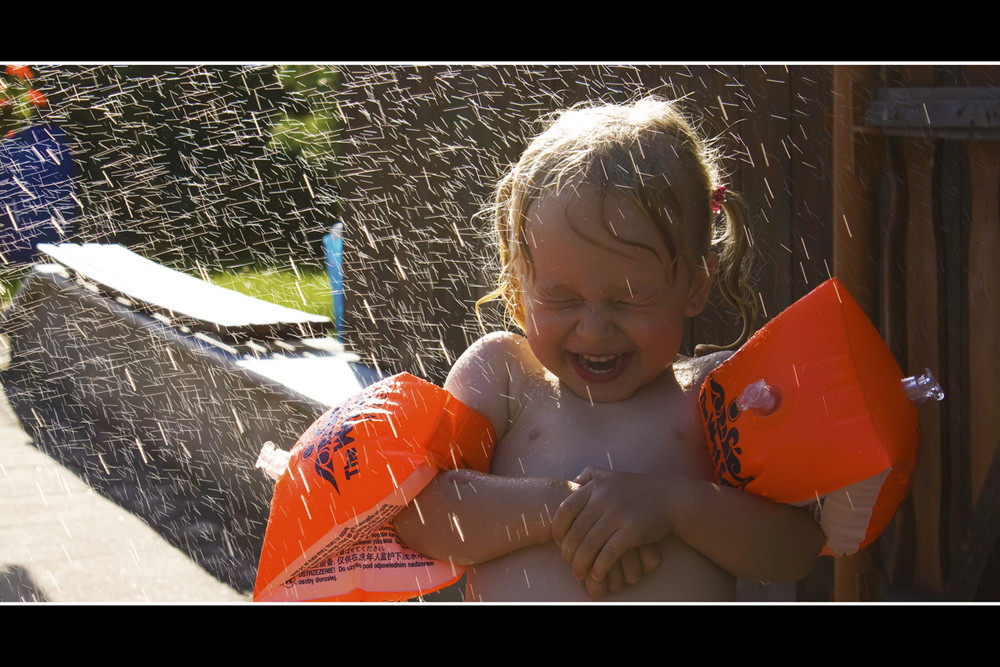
point(307, 290)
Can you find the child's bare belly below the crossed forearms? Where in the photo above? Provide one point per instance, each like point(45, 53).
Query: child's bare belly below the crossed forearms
point(539, 574)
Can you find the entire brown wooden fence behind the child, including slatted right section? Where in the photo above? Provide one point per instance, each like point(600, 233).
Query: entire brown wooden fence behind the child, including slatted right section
point(902, 208)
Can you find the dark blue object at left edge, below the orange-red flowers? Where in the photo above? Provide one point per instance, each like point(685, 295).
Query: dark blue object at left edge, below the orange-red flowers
point(36, 188)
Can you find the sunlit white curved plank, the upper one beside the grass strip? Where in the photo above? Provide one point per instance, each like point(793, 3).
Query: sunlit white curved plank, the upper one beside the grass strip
point(163, 289)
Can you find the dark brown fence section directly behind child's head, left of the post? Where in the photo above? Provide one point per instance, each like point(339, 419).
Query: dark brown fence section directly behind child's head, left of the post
point(423, 146)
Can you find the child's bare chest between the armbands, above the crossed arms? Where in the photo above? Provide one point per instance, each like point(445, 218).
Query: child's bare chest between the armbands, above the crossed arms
point(560, 435)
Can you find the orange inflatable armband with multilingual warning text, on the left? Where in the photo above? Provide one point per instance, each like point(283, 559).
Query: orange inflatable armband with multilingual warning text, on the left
point(329, 535)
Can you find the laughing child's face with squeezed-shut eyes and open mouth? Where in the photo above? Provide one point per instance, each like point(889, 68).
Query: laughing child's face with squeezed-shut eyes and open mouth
point(601, 314)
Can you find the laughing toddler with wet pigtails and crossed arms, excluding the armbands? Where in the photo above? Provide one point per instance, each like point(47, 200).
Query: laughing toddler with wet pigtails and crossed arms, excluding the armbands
point(611, 232)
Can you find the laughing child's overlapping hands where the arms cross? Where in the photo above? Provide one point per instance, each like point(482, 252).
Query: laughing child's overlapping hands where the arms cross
point(608, 519)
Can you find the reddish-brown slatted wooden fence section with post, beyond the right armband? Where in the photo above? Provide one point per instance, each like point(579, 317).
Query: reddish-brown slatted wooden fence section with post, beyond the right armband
point(917, 238)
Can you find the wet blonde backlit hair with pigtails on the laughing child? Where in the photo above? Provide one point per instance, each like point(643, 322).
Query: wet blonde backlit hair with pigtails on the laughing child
point(628, 149)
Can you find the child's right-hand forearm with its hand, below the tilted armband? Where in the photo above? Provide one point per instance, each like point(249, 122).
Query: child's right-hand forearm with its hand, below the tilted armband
point(752, 538)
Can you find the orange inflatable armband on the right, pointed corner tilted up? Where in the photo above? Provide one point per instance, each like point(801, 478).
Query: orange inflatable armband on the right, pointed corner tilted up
point(814, 408)
